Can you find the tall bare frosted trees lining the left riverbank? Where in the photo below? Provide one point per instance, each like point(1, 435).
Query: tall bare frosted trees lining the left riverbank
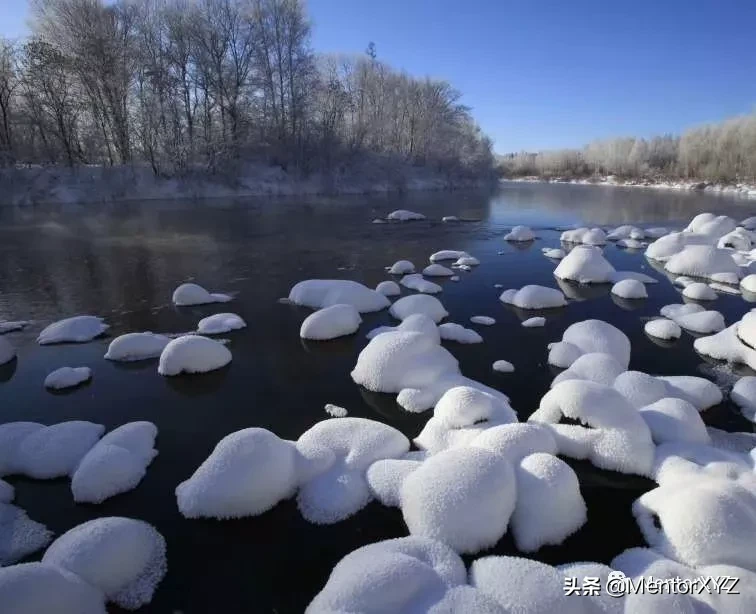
point(182, 84)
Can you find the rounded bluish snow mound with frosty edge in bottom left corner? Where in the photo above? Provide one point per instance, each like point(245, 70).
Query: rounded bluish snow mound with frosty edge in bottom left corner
point(122, 557)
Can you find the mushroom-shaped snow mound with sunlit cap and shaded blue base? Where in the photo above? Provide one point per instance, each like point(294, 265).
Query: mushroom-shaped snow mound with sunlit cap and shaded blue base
point(342, 489)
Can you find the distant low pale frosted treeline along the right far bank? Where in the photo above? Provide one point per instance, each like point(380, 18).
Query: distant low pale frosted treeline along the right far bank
point(723, 152)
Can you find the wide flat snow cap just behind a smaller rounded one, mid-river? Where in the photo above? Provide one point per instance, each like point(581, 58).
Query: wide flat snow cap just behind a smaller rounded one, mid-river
point(319, 293)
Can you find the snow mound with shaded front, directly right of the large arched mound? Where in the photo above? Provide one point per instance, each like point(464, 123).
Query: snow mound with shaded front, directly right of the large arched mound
point(673, 420)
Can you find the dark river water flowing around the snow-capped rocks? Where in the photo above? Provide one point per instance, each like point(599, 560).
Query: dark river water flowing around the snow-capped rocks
point(123, 261)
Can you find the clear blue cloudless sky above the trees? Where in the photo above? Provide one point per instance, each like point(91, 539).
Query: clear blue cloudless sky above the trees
point(553, 73)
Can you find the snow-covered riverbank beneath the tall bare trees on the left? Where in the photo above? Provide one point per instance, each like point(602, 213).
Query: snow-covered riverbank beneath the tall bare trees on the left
point(58, 184)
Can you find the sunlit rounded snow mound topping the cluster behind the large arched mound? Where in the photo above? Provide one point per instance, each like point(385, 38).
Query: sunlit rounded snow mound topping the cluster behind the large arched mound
point(587, 337)
